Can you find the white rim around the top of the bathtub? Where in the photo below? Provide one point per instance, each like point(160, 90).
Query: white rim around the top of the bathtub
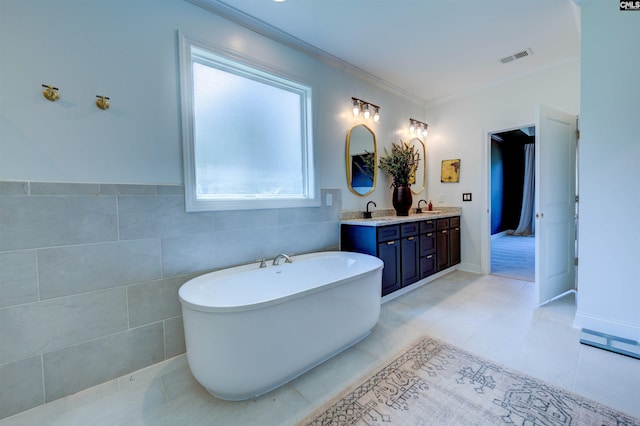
point(377, 264)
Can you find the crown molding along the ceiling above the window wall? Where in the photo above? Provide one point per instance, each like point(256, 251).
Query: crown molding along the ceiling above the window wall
point(267, 30)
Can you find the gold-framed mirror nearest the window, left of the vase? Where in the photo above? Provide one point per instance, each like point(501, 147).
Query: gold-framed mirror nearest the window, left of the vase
point(361, 160)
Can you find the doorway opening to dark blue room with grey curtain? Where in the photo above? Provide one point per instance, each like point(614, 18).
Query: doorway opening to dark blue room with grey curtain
point(512, 242)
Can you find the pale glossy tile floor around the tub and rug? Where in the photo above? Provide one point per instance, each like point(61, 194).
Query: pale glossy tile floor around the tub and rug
point(490, 316)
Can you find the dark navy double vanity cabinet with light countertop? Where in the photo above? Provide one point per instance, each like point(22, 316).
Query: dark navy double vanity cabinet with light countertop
point(412, 248)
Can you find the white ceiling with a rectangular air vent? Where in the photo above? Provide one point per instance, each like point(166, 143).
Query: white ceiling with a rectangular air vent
point(426, 50)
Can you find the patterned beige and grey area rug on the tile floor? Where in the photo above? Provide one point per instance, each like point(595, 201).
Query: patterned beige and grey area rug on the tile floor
point(434, 383)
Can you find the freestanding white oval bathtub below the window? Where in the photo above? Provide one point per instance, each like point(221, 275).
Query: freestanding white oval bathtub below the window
point(249, 330)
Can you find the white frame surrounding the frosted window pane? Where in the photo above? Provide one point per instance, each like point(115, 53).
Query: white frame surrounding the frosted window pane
point(190, 50)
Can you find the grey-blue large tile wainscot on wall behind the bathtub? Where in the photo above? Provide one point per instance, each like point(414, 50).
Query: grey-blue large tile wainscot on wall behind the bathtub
point(89, 275)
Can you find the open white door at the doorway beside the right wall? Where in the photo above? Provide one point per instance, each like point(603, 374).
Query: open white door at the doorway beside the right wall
point(555, 192)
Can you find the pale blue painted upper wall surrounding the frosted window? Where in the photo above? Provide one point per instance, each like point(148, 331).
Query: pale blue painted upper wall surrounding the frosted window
point(127, 50)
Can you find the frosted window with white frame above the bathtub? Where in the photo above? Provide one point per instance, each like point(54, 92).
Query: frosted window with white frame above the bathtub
point(247, 133)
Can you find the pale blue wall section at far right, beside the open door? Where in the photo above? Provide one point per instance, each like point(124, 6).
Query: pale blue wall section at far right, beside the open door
point(608, 275)
